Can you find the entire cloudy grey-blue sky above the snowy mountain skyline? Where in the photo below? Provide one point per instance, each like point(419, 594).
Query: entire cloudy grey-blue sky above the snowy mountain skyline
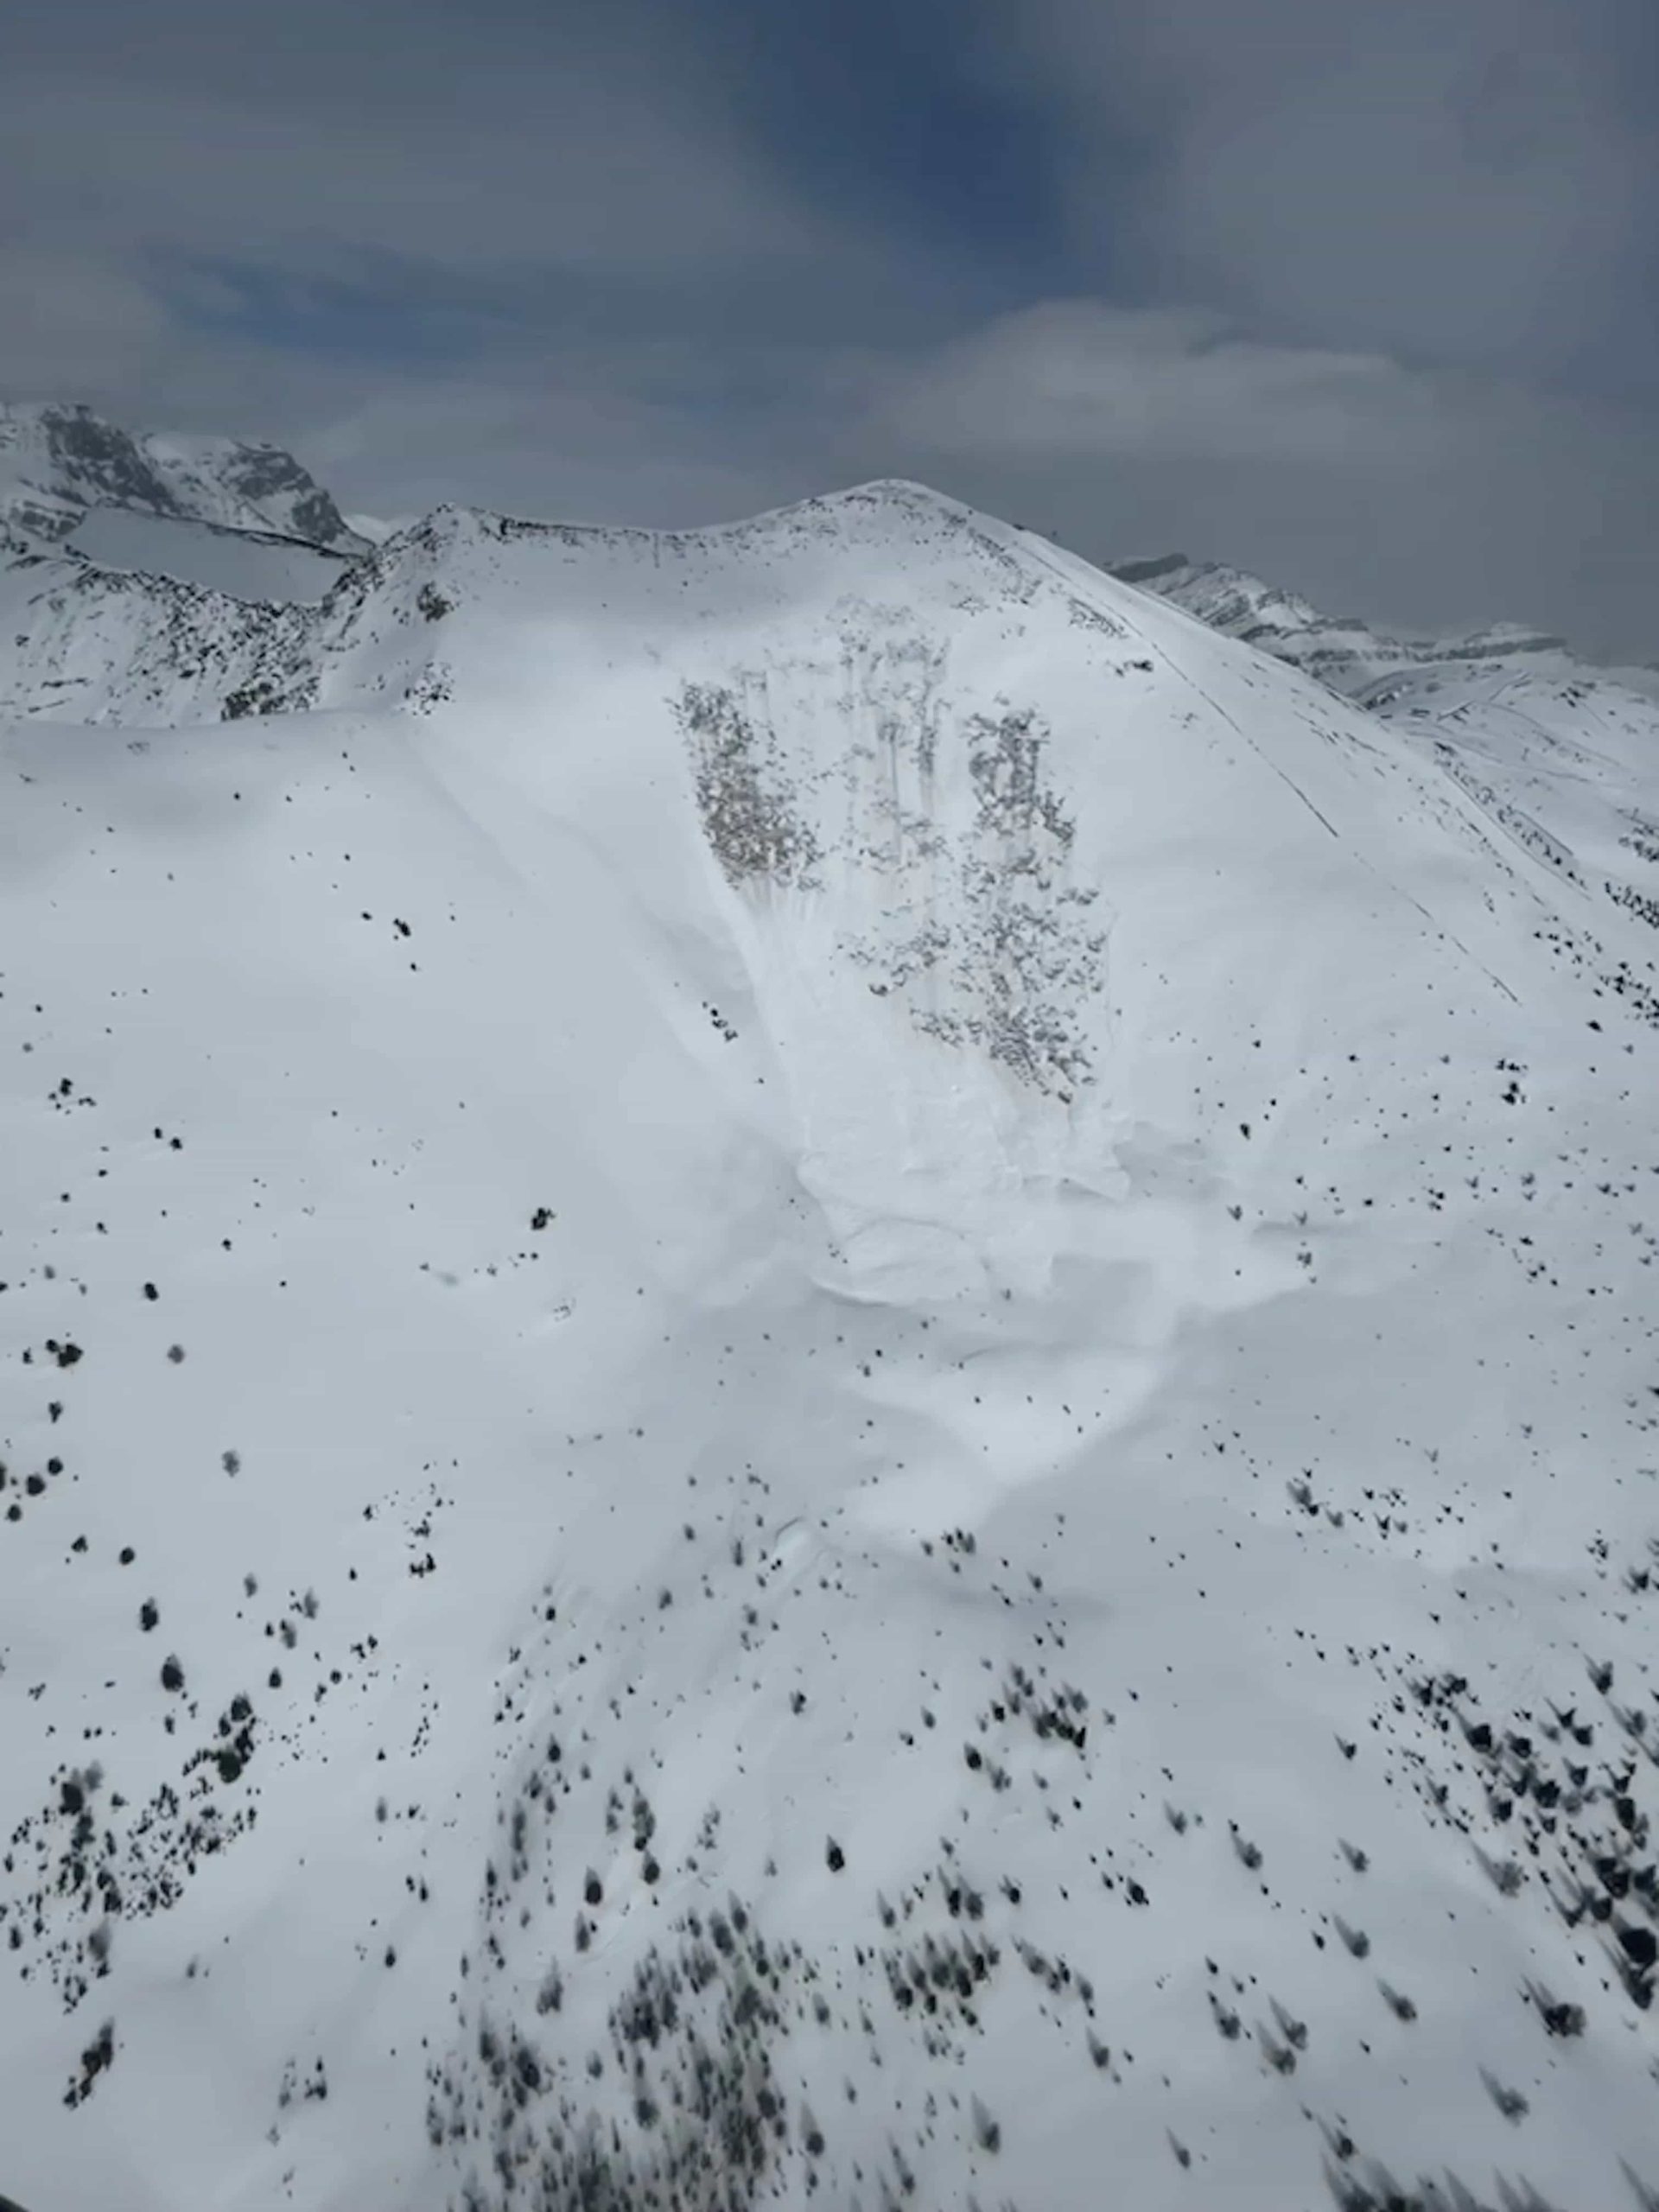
point(1357, 293)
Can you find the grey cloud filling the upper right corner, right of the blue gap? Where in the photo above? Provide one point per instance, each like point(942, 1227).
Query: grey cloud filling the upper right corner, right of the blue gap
point(1470, 182)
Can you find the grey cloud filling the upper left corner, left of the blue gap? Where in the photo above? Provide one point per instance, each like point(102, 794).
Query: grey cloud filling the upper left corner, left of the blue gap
point(413, 152)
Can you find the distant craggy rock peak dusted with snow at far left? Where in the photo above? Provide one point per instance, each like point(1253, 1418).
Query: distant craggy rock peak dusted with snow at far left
point(61, 461)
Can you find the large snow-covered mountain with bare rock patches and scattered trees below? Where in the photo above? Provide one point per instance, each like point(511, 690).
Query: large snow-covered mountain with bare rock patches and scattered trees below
point(826, 1379)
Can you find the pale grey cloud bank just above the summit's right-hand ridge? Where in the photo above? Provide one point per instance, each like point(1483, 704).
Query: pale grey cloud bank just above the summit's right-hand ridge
point(1410, 497)
